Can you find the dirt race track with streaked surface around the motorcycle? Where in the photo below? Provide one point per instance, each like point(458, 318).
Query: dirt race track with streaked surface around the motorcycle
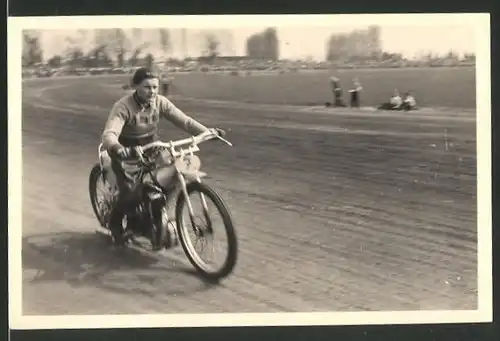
point(334, 212)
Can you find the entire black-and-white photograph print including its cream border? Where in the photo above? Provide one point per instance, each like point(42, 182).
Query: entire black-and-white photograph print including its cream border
point(257, 170)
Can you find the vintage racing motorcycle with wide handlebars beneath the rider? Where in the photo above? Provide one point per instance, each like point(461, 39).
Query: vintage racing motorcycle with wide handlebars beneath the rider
point(164, 166)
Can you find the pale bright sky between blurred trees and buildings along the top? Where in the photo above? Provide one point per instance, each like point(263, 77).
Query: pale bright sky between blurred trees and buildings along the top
point(295, 41)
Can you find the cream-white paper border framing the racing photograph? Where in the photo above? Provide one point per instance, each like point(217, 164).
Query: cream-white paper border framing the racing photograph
point(481, 21)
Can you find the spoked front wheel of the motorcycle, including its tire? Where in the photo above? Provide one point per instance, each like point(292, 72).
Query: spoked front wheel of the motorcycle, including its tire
point(205, 226)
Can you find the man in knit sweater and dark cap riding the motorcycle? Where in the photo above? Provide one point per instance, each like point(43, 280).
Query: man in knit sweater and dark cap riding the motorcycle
point(133, 121)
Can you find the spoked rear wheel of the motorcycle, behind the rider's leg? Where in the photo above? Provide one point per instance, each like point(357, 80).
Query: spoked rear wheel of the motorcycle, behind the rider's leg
point(100, 195)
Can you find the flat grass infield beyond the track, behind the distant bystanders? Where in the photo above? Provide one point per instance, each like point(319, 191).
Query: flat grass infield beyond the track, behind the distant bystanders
point(433, 87)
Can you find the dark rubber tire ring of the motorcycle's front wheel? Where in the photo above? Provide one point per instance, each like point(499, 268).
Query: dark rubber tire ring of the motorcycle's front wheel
point(191, 254)
